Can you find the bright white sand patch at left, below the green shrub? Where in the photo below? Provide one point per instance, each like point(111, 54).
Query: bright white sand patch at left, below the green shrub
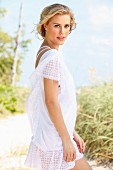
point(14, 132)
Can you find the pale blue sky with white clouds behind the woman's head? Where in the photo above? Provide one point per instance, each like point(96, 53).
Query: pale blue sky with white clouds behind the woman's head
point(88, 51)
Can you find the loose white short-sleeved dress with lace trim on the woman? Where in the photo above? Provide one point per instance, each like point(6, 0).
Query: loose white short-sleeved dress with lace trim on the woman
point(46, 150)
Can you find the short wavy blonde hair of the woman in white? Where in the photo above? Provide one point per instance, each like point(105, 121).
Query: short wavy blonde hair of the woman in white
point(50, 11)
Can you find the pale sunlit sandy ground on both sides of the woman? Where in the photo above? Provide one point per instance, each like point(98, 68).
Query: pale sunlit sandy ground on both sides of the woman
point(15, 133)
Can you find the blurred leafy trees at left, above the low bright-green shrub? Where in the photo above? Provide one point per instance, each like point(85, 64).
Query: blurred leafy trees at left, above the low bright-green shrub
point(8, 50)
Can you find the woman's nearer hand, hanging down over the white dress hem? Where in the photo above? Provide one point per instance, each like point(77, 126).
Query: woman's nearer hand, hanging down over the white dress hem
point(69, 151)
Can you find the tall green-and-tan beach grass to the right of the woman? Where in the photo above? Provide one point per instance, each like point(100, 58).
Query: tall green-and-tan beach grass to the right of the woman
point(95, 120)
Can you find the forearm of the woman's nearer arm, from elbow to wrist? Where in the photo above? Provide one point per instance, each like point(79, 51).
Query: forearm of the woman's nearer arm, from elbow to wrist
point(57, 118)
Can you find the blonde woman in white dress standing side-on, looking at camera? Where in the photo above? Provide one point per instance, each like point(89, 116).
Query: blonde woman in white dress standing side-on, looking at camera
point(51, 105)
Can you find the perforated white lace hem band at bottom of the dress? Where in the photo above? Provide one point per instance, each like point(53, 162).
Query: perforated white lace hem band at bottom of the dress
point(49, 160)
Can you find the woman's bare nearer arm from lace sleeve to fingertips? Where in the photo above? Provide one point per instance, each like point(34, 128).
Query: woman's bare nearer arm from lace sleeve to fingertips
point(53, 106)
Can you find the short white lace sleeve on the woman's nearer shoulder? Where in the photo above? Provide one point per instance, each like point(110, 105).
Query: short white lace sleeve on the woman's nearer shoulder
point(52, 69)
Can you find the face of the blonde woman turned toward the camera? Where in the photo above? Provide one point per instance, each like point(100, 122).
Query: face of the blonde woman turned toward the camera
point(57, 29)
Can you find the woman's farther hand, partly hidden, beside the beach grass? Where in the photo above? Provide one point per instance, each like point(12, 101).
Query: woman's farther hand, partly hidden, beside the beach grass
point(79, 141)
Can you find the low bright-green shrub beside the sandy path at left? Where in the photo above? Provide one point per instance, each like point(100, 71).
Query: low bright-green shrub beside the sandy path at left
point(12, 99)
